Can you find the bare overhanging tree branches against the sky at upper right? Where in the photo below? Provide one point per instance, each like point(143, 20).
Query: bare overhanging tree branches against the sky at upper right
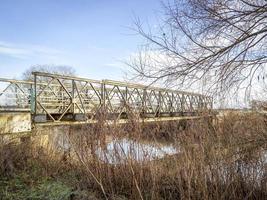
point(224, 40)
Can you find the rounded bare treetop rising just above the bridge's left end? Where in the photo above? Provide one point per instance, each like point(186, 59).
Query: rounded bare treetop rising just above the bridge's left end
point(56, 69)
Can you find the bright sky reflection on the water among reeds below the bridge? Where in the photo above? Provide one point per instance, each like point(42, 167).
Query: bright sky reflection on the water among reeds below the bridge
point(119, 151)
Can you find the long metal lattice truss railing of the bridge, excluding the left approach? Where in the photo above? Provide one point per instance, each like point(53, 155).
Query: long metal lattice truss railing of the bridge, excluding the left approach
point(58, 97)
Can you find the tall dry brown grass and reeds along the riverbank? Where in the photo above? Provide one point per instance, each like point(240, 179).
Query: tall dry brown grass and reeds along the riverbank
point(216, 159)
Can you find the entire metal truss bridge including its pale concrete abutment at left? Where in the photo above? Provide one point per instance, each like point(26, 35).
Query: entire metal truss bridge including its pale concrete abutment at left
point(52, 99)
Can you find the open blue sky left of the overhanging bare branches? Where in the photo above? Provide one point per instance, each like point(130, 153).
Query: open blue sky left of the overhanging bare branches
point(93, 36)
